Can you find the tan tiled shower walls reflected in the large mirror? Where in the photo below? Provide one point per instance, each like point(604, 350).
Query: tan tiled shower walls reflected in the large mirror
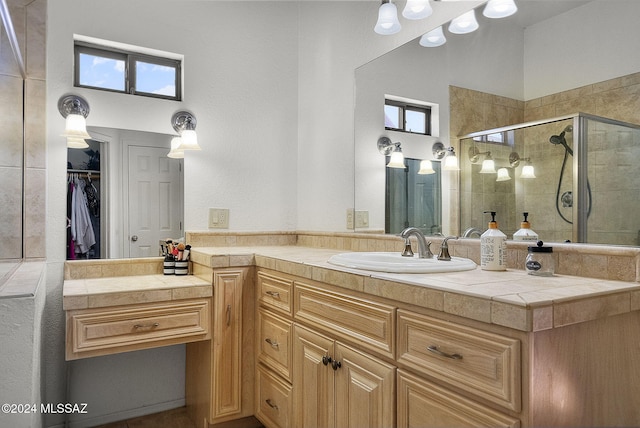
point(617, 99)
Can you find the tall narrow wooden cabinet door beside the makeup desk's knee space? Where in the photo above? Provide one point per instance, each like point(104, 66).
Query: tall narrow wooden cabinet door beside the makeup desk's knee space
point(227, 343)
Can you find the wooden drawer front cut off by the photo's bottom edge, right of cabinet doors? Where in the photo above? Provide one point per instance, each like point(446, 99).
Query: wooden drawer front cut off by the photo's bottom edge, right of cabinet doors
point(423, 404)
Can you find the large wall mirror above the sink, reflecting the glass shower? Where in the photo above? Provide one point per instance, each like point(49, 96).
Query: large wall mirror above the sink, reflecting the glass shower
point(548, 63)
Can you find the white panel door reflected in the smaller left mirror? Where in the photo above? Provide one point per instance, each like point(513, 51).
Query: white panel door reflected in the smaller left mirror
point(155, 200)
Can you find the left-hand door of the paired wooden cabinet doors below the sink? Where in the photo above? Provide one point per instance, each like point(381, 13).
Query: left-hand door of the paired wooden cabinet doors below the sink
point(313, 381)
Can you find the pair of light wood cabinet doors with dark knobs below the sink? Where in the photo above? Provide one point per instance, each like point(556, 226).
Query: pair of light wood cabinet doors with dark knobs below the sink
point(338, 386)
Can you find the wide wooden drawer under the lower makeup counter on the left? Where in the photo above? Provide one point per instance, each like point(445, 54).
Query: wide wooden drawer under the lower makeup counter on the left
point(92, 332)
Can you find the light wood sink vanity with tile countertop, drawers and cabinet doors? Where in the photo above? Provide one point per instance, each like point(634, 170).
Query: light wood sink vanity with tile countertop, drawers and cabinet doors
point(296, 341)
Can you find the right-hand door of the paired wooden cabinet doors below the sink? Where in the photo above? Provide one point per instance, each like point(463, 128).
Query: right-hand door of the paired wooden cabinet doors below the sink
point(365, 390)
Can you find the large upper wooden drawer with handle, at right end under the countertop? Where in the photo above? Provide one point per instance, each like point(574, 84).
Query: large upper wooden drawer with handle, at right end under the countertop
point(481, 363)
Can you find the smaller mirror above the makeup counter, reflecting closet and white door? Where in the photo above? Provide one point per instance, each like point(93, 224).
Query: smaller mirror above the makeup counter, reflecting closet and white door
point(124, 193)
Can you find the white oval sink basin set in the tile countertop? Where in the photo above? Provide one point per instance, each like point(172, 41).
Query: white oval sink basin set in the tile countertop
point(395, 263)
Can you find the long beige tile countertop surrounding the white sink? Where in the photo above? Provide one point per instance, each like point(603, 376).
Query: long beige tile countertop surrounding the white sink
point(512, 299)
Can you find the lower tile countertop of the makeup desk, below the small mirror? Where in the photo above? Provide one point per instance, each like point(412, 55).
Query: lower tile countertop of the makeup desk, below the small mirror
point(127, 290)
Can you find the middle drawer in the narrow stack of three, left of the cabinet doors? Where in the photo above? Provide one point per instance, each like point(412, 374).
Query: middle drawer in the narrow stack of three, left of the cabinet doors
point(274, 343)
